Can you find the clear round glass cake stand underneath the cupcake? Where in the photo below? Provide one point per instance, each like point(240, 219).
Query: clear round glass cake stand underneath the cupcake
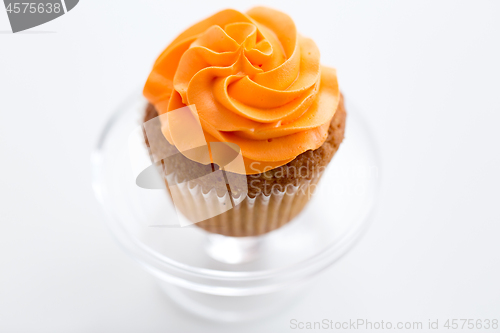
point(225, 278)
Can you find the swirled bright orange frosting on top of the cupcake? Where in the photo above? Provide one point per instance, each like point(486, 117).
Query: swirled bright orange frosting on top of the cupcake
point(255, 82)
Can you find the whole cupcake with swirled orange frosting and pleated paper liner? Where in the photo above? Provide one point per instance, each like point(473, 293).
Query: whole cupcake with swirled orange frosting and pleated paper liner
point(253, 89)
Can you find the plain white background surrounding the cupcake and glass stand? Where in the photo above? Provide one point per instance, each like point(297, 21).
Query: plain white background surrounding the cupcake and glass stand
point(426, 75)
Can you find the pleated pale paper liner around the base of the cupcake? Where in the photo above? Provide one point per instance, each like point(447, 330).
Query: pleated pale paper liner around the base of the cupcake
point(249, 216)
